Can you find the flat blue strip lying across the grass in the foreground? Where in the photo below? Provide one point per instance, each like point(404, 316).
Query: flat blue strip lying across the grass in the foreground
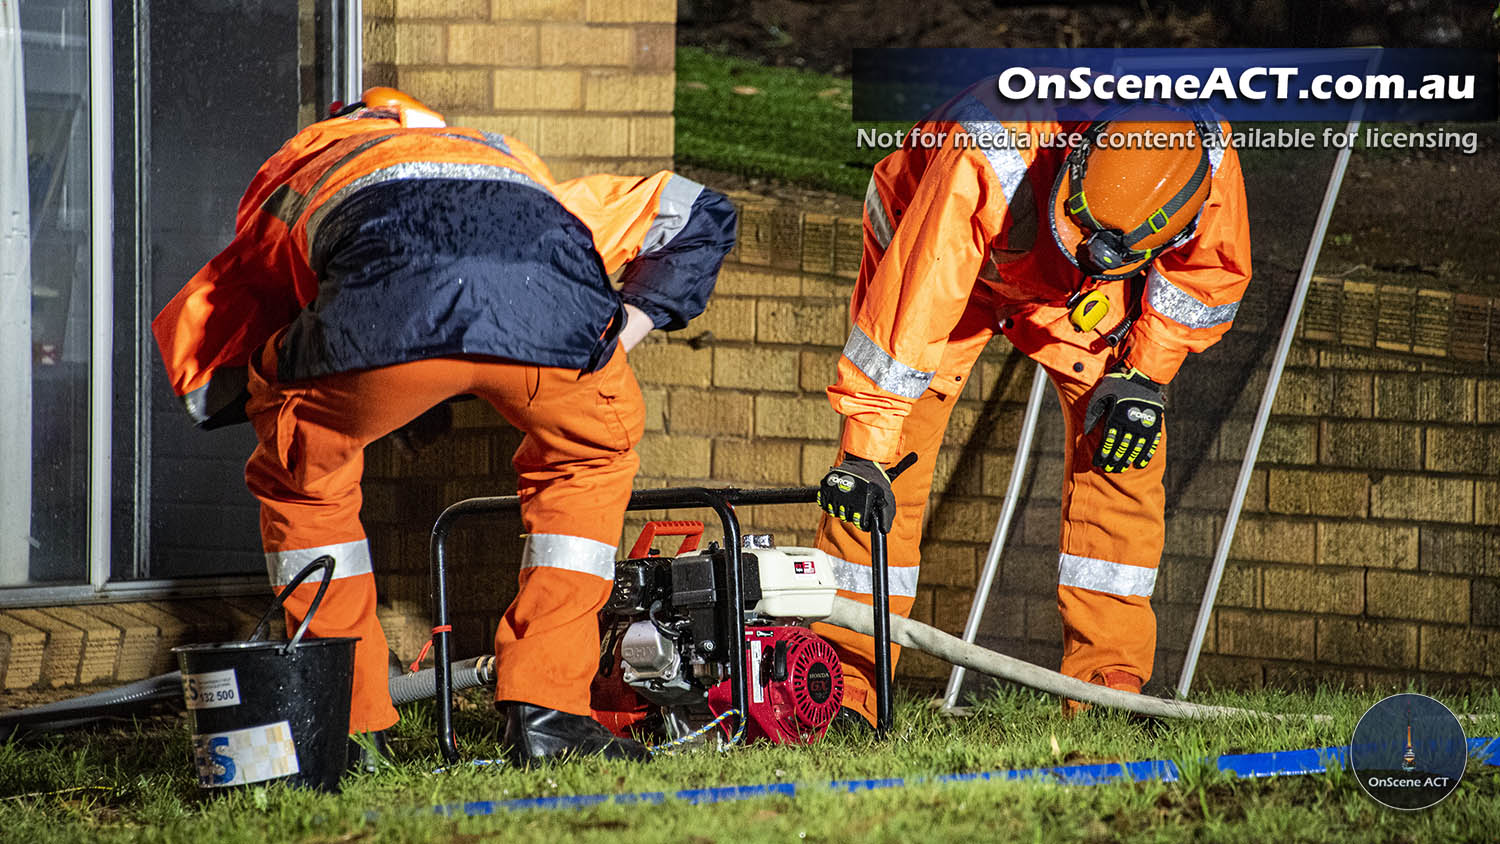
point(1249, 765)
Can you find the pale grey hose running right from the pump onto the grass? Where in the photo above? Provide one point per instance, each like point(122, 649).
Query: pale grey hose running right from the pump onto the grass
point(931, 641)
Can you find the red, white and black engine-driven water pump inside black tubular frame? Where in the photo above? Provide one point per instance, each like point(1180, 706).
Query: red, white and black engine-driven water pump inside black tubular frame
point(667, 635)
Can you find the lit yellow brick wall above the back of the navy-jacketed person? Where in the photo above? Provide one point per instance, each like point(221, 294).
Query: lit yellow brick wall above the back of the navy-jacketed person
point(587, 85)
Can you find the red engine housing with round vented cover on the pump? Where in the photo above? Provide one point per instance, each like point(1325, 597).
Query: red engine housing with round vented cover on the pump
point(796, 686)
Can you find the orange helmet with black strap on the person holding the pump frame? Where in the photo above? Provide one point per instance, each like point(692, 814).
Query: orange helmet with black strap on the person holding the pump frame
point(1130, 191)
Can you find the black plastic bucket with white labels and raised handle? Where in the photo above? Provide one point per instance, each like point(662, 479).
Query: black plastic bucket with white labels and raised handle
point(263, 711)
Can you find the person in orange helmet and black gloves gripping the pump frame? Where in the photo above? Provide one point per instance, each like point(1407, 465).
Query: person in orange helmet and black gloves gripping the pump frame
point(1001, 229)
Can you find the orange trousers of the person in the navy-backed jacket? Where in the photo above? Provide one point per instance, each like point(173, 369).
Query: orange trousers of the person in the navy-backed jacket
point(575, 470)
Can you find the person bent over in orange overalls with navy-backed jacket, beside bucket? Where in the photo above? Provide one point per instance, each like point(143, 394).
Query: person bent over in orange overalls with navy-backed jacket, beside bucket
point(385, 263)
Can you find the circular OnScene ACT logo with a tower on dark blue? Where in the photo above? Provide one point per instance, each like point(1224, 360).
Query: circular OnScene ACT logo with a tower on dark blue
point(1409, 752)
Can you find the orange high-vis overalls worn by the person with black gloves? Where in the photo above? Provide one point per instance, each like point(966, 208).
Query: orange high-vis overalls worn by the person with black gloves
point(958, 248)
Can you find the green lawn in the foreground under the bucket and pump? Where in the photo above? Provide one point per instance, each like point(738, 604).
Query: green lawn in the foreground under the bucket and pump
point(134, 785)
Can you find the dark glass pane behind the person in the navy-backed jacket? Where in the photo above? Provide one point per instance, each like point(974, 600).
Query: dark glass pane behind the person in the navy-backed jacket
point(224, 91)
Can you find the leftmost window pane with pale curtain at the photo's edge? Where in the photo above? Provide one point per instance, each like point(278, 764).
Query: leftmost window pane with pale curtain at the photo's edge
point(44, 292)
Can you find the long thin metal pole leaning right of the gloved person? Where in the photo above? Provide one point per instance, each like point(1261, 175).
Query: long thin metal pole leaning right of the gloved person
point(1190, 665)
